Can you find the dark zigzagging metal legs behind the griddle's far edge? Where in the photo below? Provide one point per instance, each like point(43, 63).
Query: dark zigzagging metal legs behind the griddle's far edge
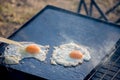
point(89, 11)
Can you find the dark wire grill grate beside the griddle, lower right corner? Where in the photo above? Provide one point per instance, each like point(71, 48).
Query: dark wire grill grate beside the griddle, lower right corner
point(105, 68)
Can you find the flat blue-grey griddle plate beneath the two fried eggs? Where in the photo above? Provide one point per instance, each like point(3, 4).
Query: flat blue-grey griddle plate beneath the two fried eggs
point(54, 26)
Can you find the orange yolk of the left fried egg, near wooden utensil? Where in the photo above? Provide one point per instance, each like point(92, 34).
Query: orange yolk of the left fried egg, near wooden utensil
point(32, 49)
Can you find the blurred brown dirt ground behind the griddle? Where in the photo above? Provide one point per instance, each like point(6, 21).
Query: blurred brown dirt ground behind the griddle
point(14, 13)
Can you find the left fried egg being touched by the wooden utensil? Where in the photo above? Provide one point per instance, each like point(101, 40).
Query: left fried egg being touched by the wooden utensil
point(13, 53)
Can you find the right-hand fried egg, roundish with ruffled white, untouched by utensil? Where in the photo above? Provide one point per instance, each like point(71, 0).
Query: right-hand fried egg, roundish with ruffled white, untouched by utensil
point(70, 54)
